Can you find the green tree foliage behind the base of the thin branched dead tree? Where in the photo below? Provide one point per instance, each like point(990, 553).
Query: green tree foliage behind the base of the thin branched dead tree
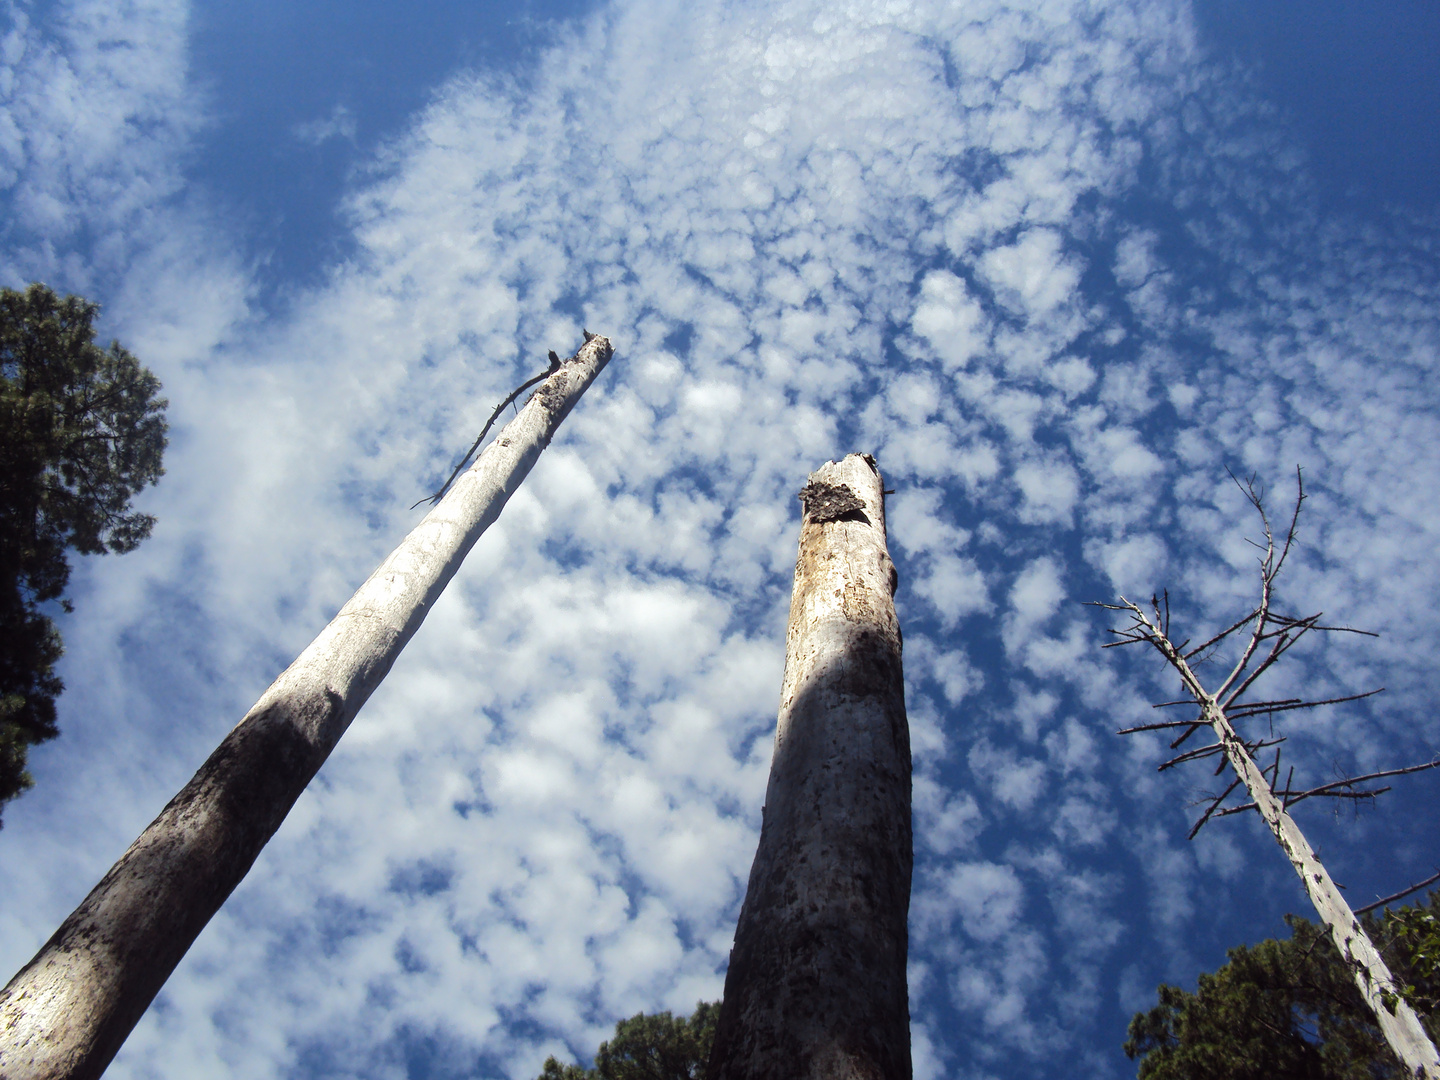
point(1290, 1010)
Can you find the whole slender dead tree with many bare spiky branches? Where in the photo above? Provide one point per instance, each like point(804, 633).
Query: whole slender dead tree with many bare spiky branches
point(1268, 636)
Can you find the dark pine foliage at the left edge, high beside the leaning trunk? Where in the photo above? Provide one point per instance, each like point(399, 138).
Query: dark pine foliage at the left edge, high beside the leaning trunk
point(81, 433)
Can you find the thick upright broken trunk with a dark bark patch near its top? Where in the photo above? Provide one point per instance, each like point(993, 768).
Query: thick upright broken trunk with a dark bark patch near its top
point(817, 981)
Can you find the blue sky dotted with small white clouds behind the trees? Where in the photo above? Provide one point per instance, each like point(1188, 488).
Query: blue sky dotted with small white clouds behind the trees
point(1056, 266)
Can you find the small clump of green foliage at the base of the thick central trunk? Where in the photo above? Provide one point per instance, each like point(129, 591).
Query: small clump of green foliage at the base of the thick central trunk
point(650, 1048)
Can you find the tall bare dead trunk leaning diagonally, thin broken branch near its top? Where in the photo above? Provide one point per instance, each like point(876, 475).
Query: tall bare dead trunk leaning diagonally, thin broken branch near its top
point(67, 1013)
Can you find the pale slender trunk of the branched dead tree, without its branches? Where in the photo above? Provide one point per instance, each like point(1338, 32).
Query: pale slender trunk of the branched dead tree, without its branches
point(1398, 1022)
